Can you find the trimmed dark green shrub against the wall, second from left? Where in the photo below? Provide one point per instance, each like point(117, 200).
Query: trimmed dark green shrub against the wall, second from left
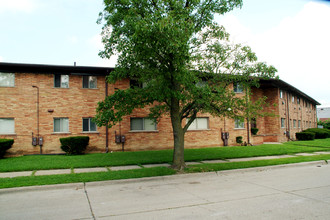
point(74, 145)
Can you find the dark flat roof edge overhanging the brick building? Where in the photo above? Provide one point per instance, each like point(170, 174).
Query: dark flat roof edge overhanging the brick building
point(103, 71)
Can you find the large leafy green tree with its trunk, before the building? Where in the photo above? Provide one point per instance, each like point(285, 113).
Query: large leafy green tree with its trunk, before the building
point(173, 47)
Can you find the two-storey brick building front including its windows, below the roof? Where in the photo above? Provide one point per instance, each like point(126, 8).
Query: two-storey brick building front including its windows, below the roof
point(42, 103)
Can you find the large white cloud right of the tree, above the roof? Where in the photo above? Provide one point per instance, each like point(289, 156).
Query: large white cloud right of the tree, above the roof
point(298, 47)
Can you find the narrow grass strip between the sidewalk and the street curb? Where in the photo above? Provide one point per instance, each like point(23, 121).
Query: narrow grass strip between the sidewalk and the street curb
point(148, 172)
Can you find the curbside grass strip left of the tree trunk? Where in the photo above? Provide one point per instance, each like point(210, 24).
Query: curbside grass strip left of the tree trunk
point(84, 177)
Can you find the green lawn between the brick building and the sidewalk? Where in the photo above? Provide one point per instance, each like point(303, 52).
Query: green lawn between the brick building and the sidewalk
point(43, 162)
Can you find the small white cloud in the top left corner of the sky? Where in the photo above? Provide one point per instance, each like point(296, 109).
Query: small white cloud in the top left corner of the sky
point(18, 5)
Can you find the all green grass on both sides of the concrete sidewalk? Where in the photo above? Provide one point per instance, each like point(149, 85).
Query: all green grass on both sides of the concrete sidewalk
point(144, 157)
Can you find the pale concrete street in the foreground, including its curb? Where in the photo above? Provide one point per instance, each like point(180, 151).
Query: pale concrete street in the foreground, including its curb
point(292, 192)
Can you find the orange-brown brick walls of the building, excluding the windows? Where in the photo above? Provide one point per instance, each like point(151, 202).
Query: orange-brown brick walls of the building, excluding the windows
point(75, 103)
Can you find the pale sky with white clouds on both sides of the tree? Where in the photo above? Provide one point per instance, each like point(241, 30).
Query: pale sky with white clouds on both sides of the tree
point(292, 35)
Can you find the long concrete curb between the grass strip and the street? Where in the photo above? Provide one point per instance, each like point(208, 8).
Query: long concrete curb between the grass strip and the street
point(77, 186)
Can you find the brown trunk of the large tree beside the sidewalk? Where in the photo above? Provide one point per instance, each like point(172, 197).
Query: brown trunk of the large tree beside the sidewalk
point(178, 135)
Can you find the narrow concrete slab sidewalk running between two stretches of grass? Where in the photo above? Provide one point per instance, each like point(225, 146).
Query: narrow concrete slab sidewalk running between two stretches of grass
point(131, 167)
